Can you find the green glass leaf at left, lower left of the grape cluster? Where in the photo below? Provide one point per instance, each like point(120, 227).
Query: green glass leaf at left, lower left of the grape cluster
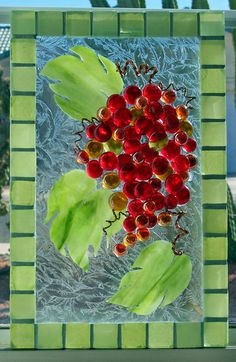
point(80, 213)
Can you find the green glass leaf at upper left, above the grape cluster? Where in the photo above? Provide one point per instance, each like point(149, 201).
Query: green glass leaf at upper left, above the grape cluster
point(82, 81)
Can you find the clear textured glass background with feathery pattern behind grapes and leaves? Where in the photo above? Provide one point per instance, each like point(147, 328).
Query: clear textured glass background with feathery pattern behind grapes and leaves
point(64, 291)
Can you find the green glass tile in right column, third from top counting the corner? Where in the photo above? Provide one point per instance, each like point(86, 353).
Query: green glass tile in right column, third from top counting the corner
point(213, 81)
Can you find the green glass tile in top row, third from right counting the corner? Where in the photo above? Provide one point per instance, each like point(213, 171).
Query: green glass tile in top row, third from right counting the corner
point(158, 23)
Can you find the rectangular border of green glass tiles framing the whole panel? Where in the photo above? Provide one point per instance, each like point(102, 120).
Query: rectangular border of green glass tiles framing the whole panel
point(25, 331)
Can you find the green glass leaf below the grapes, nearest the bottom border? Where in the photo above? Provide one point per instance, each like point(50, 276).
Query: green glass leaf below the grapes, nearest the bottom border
point(158, 277)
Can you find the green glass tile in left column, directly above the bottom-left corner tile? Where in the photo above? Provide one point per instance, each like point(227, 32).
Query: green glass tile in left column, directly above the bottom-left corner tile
point(22, 306)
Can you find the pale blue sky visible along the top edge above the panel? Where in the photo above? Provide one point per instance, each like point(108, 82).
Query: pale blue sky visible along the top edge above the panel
point(151, 4)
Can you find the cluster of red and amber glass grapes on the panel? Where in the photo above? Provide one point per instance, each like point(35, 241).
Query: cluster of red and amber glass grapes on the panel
point(155, 145)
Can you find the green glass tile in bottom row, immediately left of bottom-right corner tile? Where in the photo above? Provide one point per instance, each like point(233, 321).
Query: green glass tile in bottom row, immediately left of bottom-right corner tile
point(188, 335)
